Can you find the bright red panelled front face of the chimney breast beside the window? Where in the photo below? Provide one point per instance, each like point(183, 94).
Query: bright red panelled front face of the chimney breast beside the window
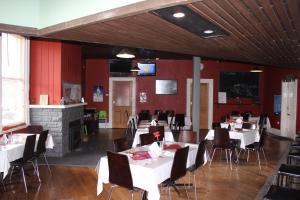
point(45, 70)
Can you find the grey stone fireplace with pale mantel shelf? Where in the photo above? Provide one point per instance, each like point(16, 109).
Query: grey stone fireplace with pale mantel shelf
point(64, 123)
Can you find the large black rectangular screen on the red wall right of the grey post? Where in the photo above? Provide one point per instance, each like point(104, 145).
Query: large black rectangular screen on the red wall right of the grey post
point(240, 84)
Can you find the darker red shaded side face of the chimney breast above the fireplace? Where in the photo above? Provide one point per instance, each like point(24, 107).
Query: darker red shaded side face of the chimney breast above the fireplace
point(71, 63)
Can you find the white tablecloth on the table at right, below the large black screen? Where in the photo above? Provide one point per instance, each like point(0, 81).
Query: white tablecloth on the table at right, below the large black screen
point(247, 136)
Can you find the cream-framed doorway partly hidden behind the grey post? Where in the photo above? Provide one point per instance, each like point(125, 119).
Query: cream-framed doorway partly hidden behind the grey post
point(206, 102)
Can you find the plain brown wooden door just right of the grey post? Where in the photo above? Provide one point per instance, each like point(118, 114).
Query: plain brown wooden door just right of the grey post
point(203, 114)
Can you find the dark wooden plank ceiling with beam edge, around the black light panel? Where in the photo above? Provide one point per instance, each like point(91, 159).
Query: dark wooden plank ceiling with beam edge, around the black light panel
point(264, 32)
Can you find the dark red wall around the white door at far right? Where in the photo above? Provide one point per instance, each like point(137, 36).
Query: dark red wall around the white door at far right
point(273, 77)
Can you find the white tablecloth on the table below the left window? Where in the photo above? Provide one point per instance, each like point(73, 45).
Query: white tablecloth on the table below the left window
point(15, 149)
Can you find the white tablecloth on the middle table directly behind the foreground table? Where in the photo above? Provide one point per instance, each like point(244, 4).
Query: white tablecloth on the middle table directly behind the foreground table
point(144, 129)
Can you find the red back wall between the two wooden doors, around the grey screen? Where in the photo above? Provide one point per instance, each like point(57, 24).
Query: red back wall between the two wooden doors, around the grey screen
point(165, 69)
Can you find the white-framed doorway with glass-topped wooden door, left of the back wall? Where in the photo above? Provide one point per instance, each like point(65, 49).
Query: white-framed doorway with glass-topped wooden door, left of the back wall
point(122, 99)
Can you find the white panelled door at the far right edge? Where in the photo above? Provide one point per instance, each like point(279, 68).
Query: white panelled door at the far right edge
point(288, 108)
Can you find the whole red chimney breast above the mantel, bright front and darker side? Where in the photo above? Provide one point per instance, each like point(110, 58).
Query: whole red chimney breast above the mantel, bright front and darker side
point(52, 62)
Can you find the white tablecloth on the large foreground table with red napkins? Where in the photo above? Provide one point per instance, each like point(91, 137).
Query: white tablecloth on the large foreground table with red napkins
point(147, 174)
